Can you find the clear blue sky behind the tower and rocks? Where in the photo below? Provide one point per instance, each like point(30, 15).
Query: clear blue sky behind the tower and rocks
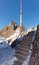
point(10, 10)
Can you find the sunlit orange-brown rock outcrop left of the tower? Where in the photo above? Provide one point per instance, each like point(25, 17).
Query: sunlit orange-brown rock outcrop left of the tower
point(9, 29)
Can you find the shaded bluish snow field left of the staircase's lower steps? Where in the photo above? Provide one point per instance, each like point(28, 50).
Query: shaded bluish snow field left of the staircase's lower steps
point(7, 54)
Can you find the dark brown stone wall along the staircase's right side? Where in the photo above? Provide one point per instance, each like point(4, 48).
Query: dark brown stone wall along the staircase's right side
point(34, 60)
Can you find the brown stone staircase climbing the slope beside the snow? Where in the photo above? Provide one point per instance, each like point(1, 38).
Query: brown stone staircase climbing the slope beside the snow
point(22, 50)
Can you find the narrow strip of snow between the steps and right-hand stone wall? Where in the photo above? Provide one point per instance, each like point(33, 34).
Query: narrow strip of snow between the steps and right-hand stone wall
point(27, 61)
